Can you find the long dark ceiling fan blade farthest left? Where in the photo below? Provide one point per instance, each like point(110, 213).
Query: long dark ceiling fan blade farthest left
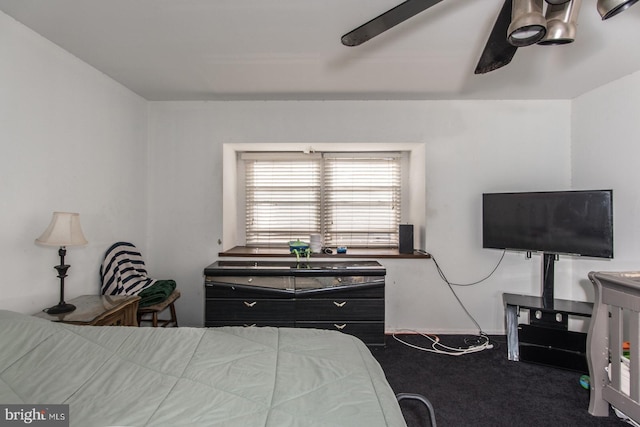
point(387, 20)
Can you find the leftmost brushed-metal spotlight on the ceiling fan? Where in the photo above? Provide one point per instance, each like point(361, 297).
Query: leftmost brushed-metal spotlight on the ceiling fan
point(528, 24)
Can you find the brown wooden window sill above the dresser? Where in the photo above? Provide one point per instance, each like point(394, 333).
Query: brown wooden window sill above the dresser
point(243, 251)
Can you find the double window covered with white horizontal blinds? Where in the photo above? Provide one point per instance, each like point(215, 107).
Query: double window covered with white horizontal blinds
point(351, 199)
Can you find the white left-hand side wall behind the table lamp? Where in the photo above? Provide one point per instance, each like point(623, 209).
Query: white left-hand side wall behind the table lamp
point(72, 140)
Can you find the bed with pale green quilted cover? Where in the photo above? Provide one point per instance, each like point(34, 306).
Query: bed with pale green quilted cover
point(229, 376)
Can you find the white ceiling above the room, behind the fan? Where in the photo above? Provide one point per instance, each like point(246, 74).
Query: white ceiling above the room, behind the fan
point(290, 49)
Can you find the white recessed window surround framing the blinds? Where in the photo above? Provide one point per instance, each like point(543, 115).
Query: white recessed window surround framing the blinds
point(225, 201)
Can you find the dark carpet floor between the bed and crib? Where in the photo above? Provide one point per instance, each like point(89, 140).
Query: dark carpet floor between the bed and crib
point(485, 388)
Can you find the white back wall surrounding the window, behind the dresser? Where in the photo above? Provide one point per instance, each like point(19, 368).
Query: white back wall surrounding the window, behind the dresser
point(471, 147)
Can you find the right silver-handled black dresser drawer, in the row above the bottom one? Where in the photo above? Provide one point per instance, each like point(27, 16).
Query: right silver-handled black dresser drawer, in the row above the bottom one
point(340, 309)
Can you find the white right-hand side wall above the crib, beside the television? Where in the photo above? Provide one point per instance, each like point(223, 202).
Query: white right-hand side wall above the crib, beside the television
point(604, 154)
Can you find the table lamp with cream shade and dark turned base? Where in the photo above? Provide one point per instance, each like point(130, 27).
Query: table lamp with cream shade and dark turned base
point(64, 230)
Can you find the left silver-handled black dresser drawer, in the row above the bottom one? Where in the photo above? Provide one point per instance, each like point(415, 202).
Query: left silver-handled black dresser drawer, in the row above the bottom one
point(248, 310)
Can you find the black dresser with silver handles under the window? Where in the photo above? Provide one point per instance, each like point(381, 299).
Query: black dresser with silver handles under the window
point(344, 296)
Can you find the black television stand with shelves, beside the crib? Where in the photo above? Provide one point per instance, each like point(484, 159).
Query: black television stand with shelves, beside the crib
point(546, 339)
